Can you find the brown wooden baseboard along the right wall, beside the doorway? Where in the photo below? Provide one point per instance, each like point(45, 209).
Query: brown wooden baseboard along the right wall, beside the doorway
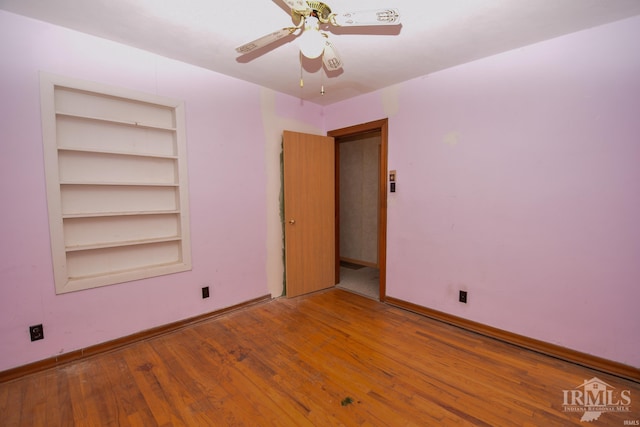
point(553, 350)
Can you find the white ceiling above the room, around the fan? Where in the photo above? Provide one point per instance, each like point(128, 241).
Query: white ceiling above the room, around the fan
point(434, 35)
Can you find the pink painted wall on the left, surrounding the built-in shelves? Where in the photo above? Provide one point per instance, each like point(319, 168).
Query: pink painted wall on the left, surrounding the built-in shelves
point(227, 192)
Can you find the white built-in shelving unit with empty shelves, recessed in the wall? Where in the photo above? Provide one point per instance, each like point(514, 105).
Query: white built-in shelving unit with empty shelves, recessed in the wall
point(116, 180)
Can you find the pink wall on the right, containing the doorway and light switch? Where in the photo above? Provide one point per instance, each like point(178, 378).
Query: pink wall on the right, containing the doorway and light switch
point(519, 181)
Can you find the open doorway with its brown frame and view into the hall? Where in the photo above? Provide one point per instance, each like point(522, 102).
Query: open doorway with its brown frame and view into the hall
point(360, 184)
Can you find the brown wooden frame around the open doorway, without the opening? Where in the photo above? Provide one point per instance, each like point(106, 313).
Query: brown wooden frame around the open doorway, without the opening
point(363, 129)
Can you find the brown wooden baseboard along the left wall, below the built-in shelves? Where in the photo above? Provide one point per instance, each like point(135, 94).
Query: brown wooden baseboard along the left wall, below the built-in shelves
point(118, 343)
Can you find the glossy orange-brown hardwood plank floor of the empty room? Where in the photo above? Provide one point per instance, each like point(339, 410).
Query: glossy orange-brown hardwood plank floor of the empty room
point(331, 358)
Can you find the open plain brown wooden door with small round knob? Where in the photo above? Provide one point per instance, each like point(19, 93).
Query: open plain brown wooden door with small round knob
point(309, 212)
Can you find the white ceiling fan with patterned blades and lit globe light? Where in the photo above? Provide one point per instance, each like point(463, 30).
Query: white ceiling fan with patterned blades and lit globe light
point(309, 17)
